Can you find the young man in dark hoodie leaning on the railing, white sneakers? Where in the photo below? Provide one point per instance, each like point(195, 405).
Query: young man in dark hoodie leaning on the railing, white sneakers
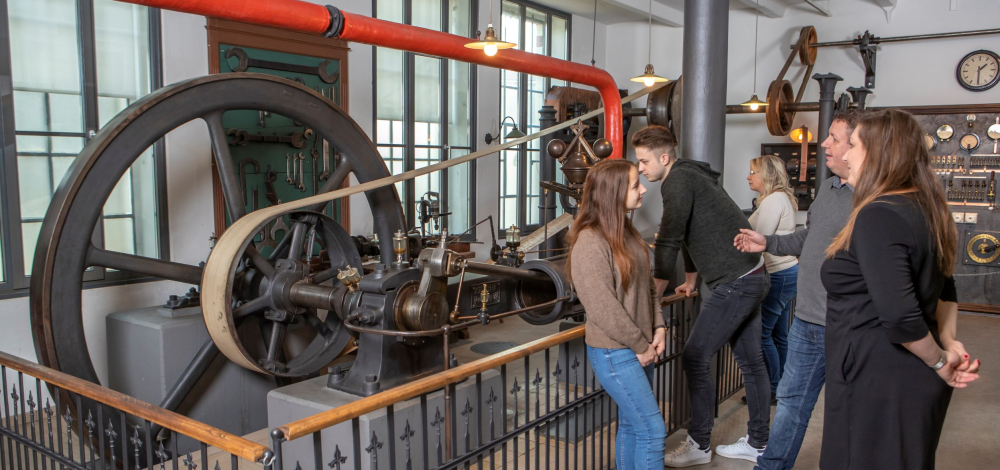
point(700, 221)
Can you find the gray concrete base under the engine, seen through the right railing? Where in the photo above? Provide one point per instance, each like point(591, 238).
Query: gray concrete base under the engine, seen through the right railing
point(308, 398)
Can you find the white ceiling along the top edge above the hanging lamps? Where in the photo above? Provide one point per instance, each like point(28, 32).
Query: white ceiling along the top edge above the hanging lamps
point(671, 12)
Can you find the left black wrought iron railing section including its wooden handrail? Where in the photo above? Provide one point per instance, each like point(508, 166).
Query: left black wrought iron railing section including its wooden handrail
point(52, 420)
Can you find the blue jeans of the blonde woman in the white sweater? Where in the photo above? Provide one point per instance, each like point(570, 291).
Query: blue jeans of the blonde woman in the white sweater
point(774, 312)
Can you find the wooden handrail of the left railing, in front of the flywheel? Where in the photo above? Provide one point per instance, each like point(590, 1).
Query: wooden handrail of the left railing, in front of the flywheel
point(214, 437)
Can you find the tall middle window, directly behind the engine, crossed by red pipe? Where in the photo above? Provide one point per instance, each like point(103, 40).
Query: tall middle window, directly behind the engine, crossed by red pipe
point(424, 107)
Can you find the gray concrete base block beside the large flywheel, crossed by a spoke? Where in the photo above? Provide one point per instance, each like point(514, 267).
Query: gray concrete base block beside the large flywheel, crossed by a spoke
point(148, 351)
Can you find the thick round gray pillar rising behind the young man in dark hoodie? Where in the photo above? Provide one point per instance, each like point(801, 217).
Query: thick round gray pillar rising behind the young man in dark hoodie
point(706, 51)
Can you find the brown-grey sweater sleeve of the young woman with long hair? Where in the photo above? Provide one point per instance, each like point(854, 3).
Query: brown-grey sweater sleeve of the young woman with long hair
point(593, 269)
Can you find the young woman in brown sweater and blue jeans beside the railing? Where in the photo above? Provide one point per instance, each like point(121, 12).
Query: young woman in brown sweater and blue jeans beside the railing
point(610, 268)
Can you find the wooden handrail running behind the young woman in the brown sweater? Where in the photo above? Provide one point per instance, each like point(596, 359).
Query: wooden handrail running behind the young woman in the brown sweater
point(317, 422)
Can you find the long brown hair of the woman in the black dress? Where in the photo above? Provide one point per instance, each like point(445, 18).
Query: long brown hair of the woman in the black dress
point(897, 162)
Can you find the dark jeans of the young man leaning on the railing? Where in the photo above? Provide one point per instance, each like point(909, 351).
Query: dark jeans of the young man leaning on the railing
point(731, 314)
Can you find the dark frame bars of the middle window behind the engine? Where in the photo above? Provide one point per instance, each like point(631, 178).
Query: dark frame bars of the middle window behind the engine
point(409, 124)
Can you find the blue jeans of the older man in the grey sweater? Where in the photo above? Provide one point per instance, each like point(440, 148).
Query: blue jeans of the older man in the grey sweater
point(805, 373)
